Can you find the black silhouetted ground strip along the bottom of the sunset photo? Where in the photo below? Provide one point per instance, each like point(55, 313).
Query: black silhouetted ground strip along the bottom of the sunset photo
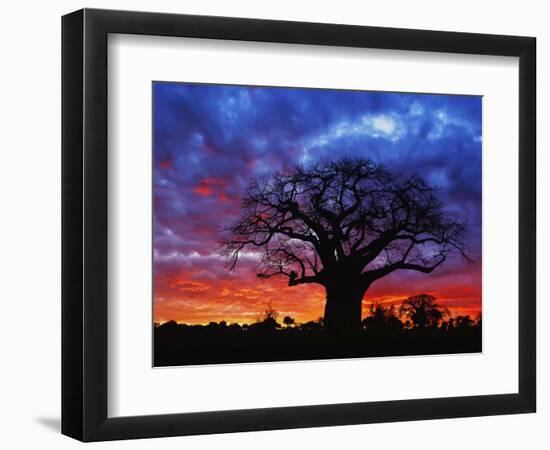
point(177, 344)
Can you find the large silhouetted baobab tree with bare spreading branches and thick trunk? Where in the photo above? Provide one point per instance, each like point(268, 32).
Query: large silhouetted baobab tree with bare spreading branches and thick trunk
point(344, 225)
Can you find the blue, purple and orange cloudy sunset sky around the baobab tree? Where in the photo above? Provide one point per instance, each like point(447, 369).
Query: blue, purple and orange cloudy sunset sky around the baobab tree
point(209, 140)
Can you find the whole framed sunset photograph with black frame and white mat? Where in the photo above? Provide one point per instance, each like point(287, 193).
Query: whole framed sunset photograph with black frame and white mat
point(267, 224)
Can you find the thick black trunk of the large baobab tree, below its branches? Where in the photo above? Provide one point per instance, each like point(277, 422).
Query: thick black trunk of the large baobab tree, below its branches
point(343, 309)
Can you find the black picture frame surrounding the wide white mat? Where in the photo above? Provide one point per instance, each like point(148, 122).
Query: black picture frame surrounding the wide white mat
point(84, 224)
